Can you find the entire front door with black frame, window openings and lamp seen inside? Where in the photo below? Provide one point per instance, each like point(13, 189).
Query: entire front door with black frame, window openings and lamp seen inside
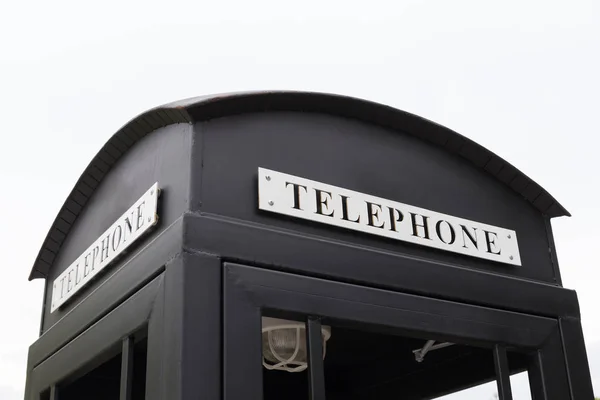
point(346, 341)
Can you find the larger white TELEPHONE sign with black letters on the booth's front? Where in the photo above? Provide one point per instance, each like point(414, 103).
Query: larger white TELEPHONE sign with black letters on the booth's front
point(302, 198)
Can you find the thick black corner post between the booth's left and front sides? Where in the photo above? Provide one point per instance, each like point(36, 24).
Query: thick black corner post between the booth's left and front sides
point(184, 334)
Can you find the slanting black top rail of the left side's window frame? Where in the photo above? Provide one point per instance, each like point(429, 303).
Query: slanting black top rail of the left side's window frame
point(96, 344)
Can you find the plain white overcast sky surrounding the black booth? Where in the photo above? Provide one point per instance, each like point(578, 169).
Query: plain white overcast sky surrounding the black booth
point(519, 77)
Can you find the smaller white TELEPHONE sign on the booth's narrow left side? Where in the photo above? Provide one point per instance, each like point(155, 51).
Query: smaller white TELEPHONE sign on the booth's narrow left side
point(131, 226)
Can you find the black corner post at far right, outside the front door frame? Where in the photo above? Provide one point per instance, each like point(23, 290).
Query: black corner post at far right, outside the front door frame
point(578, 369)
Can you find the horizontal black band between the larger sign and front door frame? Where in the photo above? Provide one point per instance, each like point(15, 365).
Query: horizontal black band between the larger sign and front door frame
point(237, 240)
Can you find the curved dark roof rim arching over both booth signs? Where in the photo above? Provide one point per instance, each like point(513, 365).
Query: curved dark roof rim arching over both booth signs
point(214, 106)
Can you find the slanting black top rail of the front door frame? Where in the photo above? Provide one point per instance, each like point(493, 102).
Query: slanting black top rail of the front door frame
point(410, 313)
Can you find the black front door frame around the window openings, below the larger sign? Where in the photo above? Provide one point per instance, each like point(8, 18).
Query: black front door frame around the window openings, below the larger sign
point(250, 290)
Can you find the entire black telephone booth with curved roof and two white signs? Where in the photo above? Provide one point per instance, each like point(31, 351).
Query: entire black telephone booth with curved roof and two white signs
point(289, 245)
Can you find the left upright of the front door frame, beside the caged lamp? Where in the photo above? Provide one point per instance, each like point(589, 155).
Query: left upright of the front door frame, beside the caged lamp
point(242, 357)
